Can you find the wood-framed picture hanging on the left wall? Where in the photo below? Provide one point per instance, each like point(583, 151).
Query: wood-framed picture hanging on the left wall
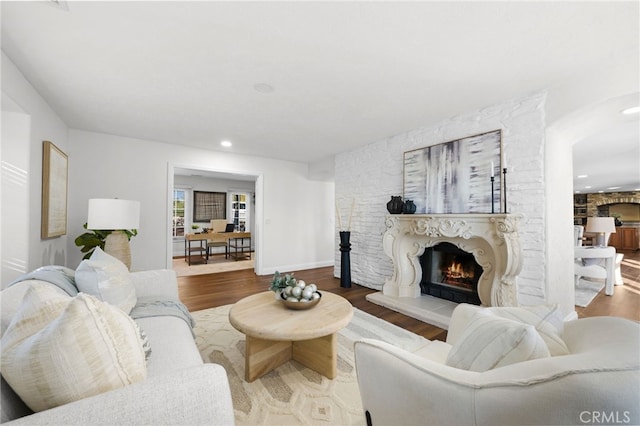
point(55, 169)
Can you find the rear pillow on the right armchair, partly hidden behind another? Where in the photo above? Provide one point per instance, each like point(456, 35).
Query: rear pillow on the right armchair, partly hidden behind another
point(548, 321)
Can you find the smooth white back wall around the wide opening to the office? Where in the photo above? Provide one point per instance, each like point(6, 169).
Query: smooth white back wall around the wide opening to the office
point(294, 215)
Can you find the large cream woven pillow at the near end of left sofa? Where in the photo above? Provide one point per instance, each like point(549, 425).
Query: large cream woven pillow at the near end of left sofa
point(84, 347)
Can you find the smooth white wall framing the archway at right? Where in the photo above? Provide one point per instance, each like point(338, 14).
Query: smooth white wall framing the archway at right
point(576, 107)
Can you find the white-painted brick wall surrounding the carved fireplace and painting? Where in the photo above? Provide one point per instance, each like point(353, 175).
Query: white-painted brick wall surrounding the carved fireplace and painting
point(373, 174)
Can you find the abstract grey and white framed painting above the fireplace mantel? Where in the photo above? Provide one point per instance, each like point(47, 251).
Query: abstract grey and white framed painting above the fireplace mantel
point(455, 176)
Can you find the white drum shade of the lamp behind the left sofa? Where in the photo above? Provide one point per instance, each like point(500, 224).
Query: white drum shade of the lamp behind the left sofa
point(112, 213)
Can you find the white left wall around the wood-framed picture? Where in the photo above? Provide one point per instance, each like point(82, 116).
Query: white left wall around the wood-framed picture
point(18, 95)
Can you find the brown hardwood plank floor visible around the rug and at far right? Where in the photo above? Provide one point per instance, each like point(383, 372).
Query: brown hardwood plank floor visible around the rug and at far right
point(211, 290)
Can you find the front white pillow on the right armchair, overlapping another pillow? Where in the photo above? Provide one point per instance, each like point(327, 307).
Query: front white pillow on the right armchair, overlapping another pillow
point(490, 342)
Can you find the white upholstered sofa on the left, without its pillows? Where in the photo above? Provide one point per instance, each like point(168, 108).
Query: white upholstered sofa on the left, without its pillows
point(178, 388)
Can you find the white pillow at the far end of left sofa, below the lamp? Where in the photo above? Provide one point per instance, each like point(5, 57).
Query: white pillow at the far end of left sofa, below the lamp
point(108, 279)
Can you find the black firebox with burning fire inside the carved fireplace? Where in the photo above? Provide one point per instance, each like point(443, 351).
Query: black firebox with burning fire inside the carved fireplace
point(450, 273)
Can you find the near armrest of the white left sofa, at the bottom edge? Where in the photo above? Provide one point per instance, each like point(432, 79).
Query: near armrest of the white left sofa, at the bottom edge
point(194, 396)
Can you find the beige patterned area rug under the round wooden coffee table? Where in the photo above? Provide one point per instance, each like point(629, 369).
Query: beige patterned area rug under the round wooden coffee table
point(293, 394)
